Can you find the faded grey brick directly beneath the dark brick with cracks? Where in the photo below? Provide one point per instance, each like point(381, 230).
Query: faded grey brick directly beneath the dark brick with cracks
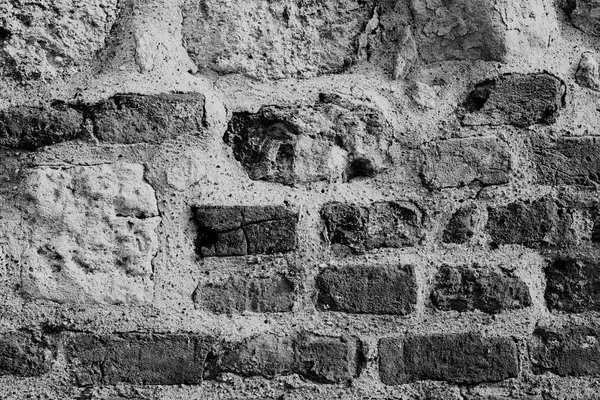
point(238, 293)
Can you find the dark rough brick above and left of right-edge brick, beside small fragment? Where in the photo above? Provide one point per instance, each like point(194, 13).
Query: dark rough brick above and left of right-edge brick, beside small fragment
point(542, 222)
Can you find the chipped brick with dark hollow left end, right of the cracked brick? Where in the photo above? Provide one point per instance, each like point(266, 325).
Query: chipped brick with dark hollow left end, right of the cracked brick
point(358, 229)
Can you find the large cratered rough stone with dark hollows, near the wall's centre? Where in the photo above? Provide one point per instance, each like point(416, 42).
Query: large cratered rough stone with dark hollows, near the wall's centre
point(334, 140)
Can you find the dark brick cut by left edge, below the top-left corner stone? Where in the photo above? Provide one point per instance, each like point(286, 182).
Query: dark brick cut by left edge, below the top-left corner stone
point(33, 127)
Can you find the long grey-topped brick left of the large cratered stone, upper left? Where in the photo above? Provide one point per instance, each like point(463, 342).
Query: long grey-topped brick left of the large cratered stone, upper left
point(133, 118)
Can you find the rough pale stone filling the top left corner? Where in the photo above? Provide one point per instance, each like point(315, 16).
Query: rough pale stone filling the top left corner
point(47, 38)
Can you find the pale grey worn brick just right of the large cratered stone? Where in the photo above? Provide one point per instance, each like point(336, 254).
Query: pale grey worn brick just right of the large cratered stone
point(461, 162)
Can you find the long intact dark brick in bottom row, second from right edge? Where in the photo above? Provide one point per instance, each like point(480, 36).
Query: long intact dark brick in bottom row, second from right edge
point(456, 358)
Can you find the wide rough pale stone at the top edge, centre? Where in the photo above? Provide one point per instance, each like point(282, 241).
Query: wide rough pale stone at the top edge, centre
point(264, 39)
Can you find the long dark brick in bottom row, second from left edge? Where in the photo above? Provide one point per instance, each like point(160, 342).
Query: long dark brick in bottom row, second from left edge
point(141, 359)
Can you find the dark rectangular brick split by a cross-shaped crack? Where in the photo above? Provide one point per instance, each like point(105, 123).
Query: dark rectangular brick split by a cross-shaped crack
point(243, 230)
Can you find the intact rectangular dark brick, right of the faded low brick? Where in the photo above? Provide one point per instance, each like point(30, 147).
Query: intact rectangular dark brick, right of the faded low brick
point(377, 289)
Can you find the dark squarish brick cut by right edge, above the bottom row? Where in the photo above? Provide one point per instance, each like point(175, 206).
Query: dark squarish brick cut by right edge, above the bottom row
point(573, 284)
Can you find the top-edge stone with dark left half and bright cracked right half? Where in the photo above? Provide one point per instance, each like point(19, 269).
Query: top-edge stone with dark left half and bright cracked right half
point(479, 29)
